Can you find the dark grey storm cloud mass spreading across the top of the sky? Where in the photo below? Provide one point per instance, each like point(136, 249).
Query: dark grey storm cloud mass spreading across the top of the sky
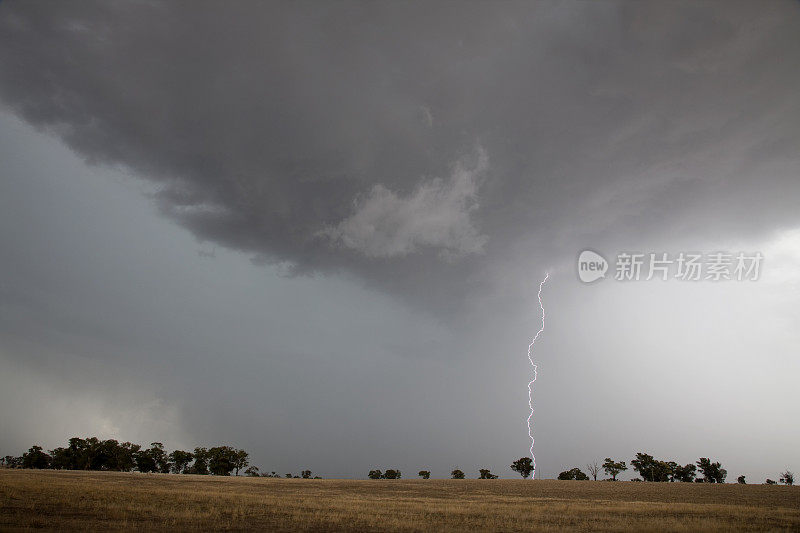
point(315, 135)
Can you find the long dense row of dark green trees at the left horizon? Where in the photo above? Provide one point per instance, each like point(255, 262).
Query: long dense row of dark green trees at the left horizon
point(92, 453)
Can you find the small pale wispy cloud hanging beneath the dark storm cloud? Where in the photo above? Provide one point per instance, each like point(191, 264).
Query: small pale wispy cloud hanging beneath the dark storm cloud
point(436, 214)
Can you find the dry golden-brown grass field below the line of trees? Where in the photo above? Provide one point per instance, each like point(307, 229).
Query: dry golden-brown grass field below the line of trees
point(109, 500)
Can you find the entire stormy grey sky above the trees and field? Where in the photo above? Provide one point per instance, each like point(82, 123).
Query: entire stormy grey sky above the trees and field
point(316, 231)
